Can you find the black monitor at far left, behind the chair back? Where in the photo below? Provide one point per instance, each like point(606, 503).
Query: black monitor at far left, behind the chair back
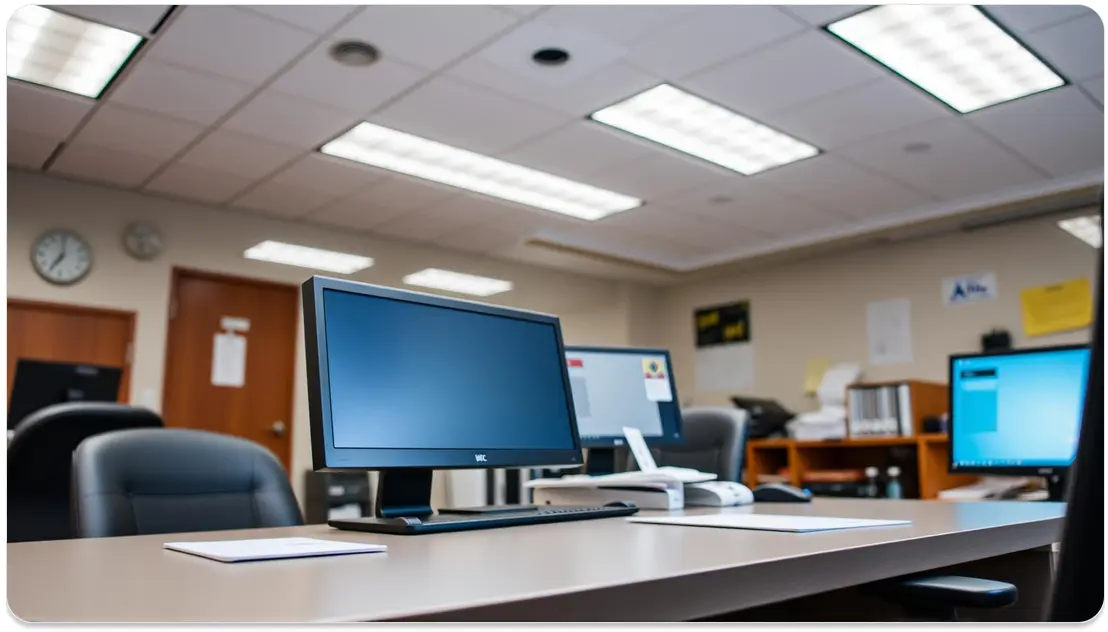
point(40, 384)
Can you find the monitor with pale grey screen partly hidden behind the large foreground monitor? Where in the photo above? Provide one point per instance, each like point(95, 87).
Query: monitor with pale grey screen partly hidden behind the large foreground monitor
point(622, 388)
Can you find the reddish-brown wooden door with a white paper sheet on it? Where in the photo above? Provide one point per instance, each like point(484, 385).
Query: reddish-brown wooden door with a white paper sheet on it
point(262, 409)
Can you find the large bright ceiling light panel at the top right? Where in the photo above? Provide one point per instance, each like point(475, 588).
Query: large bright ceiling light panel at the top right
point(952, 52)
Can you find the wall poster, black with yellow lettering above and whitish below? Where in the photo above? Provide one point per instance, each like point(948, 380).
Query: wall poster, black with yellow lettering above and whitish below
point(725, 354)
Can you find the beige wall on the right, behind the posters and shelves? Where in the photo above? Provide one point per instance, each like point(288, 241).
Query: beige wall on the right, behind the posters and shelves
point(817, 308)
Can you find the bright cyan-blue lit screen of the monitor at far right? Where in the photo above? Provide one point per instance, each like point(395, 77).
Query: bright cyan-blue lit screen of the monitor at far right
point(1021, 410)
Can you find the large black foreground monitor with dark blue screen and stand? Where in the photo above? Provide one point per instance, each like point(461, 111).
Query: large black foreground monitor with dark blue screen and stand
point(408, 383)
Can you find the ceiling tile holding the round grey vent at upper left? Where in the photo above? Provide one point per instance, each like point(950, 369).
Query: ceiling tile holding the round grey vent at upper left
point(358, 90)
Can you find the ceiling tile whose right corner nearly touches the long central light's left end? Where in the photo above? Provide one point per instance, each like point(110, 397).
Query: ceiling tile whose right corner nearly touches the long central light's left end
point(240, 155)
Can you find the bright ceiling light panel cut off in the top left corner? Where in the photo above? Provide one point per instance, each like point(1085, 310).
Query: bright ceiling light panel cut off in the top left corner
point(65, 53)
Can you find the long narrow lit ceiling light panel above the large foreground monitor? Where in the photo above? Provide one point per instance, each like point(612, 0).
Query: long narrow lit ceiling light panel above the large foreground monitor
point(405, 154)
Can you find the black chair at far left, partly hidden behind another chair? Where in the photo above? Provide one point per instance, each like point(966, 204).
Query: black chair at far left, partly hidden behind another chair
point(40, 457)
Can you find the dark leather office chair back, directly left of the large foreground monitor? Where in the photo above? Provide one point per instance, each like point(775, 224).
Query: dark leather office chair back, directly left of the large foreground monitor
point(141, 482)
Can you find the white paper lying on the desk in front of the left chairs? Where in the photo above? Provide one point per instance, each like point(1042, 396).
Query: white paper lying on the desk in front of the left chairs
point(272, 549)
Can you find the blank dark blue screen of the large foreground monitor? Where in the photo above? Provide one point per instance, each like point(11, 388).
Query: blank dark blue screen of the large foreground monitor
point(414, 376)
